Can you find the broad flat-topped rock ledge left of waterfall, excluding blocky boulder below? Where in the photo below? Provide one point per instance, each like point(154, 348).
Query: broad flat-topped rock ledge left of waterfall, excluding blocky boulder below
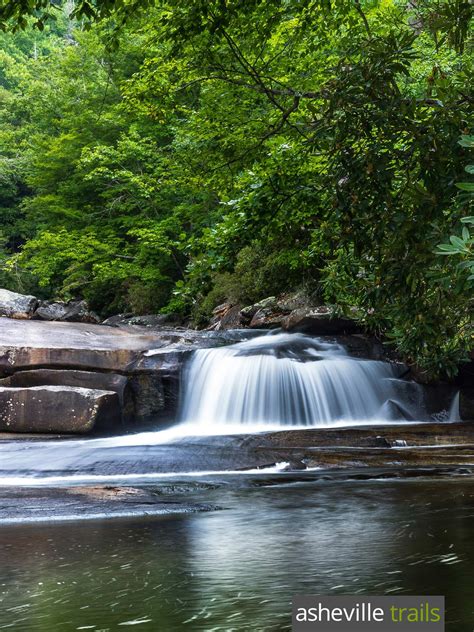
point(140, 365)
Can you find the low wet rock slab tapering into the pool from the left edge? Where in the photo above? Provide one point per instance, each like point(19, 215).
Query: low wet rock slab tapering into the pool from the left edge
point(23, 504)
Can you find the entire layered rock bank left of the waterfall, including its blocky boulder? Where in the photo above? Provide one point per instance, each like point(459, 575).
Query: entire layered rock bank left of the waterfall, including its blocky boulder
point(73, 377)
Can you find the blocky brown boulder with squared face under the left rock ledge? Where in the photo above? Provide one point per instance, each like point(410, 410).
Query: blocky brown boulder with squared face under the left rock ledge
point(57, 409)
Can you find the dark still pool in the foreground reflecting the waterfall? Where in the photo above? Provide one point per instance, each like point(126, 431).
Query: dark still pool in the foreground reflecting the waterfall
point(238, 568)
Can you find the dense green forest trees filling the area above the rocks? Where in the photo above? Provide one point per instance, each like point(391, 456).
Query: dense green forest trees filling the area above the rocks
point(166, 156)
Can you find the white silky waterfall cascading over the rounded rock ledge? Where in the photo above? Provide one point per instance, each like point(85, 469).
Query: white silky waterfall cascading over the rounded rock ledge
point(288, 379)
